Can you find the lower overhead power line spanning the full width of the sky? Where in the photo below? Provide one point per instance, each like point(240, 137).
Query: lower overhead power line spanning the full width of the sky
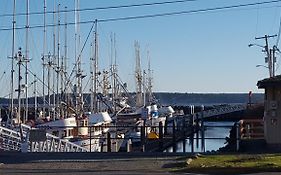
point(153, 15)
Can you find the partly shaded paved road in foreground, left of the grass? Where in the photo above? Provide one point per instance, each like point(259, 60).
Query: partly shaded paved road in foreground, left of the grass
point(89, 163)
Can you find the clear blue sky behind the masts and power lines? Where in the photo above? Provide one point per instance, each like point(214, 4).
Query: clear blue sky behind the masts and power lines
point(202, 52)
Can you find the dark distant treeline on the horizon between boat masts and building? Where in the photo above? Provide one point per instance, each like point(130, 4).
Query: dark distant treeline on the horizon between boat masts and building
point(207, 98)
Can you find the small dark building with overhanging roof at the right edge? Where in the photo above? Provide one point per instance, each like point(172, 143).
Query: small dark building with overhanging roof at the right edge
point(272, 109)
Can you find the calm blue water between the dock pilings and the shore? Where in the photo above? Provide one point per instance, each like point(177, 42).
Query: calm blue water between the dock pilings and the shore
point(210, 144)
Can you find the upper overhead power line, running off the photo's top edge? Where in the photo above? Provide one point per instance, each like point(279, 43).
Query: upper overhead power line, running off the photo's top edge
point(102, 8)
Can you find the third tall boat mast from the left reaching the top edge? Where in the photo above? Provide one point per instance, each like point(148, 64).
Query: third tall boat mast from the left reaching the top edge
point(43, 59)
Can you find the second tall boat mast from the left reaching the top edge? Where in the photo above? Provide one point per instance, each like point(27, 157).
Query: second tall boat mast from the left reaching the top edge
point(26, 60)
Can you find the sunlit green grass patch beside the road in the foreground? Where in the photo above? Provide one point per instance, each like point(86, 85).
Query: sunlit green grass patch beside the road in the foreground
point(232, 164)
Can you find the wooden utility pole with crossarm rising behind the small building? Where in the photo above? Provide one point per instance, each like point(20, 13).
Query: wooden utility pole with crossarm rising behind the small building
point(270, 60)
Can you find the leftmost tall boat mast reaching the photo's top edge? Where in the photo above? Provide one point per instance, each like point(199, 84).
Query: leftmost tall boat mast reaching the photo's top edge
point(13, 57)
